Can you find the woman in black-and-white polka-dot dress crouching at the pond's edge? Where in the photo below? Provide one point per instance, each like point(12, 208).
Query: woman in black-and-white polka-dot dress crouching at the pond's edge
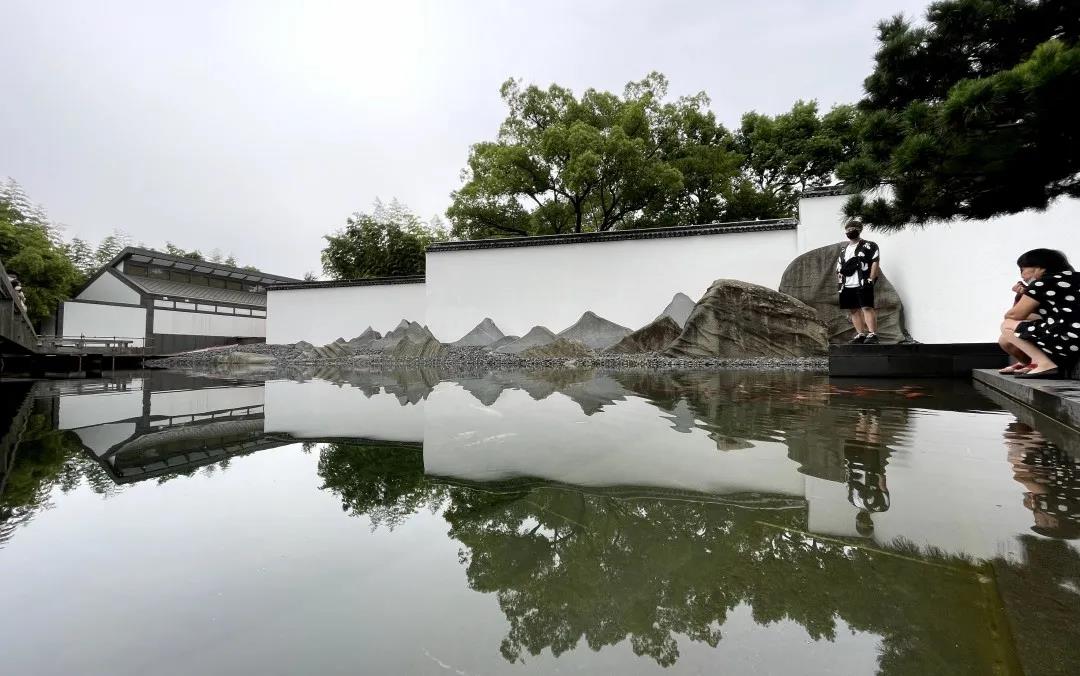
point(1051, 341)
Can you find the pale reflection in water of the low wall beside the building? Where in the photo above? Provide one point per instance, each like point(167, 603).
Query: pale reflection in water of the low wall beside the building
point(321, 410)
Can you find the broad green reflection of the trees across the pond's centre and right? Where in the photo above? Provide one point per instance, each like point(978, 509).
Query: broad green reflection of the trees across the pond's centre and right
point(570, 567)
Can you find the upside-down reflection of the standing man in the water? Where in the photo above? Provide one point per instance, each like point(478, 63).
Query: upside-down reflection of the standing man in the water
point(866, 458)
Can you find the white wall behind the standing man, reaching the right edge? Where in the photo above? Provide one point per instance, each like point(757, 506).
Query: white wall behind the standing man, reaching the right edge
point(954, 279)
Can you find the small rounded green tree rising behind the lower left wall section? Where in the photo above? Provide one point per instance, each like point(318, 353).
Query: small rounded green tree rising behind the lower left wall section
point(388, 242)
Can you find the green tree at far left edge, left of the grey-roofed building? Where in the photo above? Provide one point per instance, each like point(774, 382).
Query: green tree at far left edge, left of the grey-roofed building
point(30, 251)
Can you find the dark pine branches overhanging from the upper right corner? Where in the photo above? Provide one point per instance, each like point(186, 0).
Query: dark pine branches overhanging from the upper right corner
point(974, 115)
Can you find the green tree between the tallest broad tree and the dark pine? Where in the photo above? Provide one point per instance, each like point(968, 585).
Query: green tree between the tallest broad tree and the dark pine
point(792, 152)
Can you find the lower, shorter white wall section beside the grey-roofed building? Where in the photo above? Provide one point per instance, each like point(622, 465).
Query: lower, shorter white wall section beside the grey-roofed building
point(322, 316)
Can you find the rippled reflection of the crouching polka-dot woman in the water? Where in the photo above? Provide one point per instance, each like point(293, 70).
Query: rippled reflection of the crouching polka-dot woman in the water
point(1051, 481)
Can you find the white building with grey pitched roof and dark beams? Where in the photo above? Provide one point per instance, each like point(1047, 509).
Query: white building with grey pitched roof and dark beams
point(170, 304)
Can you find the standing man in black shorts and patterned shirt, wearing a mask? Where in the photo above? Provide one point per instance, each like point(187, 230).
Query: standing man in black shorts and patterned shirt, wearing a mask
point(857, 272)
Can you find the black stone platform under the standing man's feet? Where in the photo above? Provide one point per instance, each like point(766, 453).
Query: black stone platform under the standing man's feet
point(914, 361)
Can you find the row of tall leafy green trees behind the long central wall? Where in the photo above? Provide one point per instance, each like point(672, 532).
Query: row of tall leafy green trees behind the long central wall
point(602, 161)
